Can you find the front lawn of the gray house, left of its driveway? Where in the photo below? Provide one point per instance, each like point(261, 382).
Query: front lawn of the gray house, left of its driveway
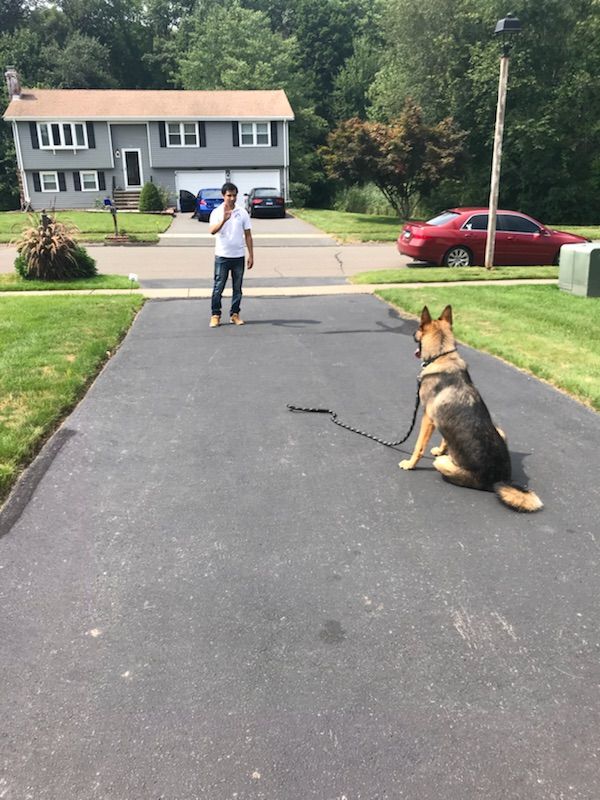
point(93, 225)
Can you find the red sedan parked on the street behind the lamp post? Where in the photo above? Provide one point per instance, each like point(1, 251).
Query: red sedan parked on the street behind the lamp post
point(456, 238)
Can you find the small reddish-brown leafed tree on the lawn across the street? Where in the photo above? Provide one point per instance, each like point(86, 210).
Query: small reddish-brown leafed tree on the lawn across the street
point(406, 159)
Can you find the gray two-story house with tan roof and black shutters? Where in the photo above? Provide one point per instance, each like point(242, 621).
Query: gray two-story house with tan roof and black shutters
point(77, 146)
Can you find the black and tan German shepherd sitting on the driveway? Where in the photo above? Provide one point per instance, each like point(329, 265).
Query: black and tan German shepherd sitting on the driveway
point(473, 451)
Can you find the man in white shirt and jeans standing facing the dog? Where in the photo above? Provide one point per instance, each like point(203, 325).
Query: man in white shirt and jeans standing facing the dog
point(231, 227)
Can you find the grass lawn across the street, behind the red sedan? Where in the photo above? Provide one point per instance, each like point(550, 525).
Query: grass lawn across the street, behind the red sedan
point(349, 227)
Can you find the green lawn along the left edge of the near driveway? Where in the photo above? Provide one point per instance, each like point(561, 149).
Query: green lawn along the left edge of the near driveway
point(51, 348)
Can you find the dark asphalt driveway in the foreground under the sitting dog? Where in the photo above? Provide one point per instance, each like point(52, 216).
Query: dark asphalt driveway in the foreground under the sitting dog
point(207, 596)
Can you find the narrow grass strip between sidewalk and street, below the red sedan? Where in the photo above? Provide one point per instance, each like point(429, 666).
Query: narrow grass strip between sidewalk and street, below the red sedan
point(443, 274)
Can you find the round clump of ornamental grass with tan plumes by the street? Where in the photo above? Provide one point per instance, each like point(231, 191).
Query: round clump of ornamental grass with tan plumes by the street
point(47, 251)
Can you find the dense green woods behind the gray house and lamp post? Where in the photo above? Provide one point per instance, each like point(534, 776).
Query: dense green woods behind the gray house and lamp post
point(341, 60)
